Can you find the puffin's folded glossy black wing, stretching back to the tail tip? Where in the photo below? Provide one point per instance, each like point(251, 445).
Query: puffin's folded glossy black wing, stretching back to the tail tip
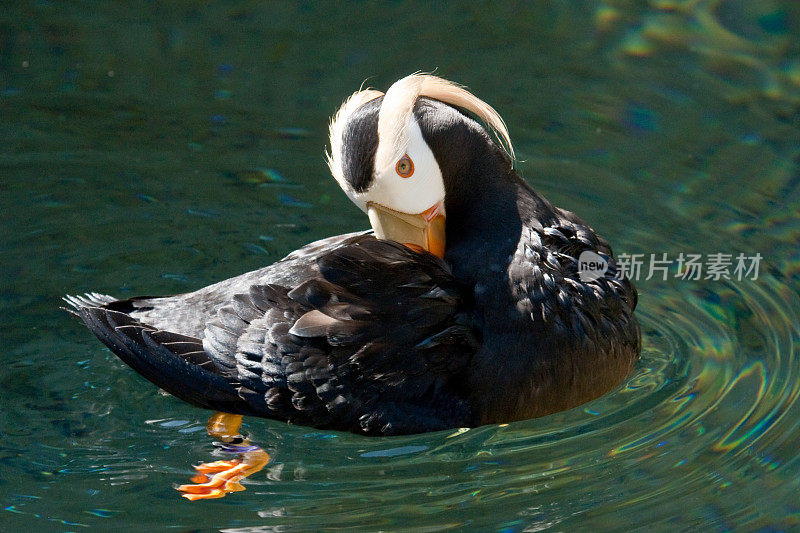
point(374, 340)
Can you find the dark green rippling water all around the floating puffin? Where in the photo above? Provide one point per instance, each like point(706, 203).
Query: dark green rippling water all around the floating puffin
point(147, 149)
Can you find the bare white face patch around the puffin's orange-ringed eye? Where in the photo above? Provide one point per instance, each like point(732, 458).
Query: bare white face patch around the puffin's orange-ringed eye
point(412, 195)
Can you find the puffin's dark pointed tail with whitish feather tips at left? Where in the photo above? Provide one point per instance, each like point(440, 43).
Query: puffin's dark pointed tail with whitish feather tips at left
point(176, 363)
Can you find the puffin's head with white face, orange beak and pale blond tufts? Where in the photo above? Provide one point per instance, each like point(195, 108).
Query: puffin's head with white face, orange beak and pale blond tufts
point(398, 155)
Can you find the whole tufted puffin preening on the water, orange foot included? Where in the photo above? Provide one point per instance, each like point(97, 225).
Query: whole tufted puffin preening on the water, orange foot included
point(464, 305)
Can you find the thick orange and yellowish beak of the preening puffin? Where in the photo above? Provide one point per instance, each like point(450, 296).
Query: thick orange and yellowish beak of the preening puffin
point(424, 230)
